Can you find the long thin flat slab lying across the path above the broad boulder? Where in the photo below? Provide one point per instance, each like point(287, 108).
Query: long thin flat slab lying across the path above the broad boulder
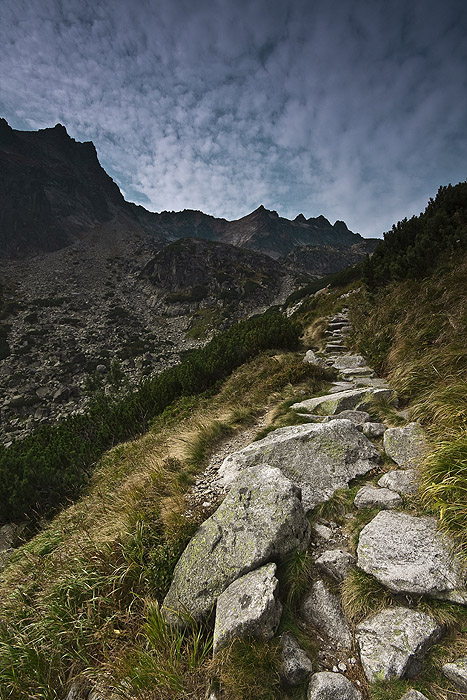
point(350, 399)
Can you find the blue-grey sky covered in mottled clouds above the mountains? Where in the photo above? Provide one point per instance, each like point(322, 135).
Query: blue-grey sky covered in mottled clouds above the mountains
point(354, 109)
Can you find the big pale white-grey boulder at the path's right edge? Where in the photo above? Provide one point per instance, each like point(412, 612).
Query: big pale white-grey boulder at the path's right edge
point(407, 554)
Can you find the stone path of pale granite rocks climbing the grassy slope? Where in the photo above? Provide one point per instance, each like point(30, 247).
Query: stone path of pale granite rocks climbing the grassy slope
point(230, 565)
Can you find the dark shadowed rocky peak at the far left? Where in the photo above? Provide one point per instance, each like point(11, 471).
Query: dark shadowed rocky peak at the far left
point(52, 189)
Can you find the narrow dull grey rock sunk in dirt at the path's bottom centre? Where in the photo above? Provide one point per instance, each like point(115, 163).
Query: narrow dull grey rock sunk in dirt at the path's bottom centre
point(323, 609)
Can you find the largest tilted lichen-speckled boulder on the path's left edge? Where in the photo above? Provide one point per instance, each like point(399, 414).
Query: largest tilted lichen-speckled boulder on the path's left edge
point(261, 519)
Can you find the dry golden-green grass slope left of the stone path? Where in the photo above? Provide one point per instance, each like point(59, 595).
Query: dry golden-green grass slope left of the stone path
point(77, 595)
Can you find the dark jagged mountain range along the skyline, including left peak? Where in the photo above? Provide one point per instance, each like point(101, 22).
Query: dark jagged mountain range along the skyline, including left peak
point(53, 192)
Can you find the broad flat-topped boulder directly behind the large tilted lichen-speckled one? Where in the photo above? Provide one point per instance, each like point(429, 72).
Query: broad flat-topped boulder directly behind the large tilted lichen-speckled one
point(319, 457)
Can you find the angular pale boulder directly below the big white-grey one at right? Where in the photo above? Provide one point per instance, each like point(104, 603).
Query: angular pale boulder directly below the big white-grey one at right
point(393, 643)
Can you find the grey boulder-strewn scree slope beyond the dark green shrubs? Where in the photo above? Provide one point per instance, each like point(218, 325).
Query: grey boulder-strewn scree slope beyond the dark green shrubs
point(112, 308)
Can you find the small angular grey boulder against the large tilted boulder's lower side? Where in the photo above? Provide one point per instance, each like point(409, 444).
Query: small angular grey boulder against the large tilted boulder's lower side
point(248, 607)
